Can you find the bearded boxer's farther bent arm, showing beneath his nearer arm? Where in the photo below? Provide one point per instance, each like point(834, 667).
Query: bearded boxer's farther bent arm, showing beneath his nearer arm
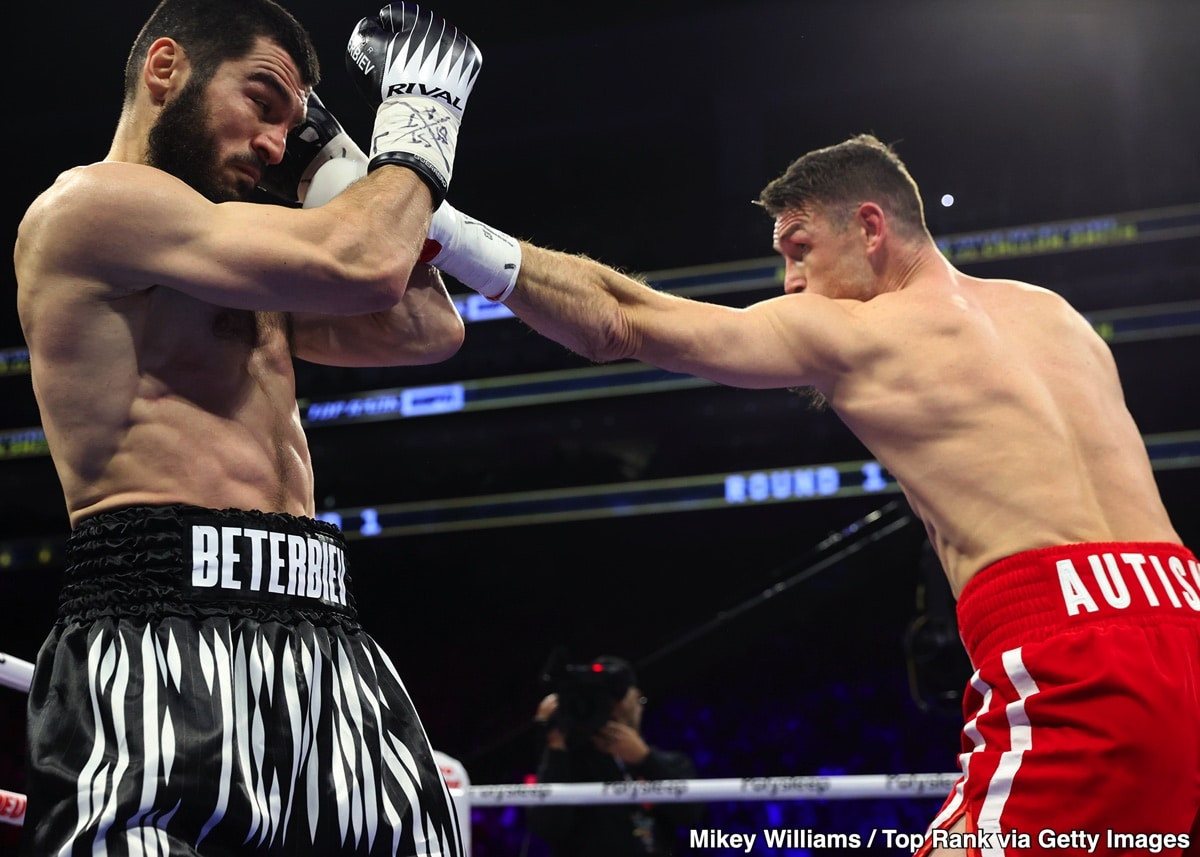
point(423, 328)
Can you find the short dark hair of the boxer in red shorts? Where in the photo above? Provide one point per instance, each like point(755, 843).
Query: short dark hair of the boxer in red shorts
point(844, 176)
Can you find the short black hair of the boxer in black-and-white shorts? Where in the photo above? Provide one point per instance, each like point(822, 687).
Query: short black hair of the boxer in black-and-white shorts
point(213, 32)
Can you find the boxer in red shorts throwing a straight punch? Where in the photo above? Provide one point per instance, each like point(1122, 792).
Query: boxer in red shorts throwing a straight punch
point(1000, 411)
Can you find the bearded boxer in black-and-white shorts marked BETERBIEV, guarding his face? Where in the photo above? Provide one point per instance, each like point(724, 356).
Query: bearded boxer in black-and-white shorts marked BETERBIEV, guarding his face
point(207, 690)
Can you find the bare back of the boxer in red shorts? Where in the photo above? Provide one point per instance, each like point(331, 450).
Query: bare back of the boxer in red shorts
point(1000, 412)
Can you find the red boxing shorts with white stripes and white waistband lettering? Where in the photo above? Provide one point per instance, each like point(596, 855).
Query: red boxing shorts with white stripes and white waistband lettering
point(1083, 718)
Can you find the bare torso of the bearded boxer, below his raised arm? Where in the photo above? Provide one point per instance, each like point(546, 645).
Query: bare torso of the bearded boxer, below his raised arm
point(152, 397)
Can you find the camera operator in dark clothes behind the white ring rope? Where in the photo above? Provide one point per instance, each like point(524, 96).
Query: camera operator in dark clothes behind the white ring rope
point(592, 726)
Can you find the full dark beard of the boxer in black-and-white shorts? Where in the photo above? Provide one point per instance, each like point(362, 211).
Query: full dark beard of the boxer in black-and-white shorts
point(184, 145)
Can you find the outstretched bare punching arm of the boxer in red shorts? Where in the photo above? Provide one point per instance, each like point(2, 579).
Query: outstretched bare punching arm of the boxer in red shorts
point(596, 311)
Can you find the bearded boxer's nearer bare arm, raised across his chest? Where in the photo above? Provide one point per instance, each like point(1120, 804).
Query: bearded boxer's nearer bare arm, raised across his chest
point(135, 227)
